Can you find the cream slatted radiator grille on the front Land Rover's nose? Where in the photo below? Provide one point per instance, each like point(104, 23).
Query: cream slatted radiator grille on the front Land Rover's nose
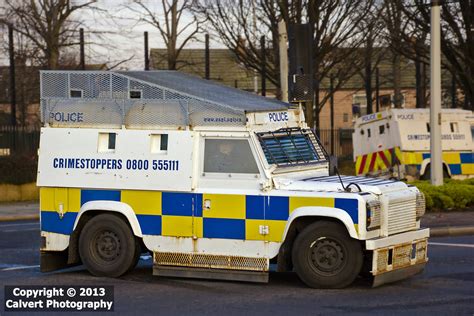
point(401, 215)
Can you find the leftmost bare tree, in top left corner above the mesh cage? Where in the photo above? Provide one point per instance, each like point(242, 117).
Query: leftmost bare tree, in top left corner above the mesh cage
point(46, 23)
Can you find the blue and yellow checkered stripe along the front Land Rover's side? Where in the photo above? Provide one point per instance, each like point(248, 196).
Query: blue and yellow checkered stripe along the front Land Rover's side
point(182, 214)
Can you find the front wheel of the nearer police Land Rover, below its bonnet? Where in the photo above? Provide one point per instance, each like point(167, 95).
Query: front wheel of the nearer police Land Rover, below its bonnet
point(325, 256)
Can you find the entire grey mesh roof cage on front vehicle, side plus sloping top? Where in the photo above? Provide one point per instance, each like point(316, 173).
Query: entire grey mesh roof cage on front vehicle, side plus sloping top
point(168, 98)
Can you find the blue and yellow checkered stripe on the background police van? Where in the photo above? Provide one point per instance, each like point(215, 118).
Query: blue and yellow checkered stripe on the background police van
point(459, 163)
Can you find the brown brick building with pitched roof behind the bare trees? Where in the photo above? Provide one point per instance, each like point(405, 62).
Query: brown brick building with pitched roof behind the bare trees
point(225, 68)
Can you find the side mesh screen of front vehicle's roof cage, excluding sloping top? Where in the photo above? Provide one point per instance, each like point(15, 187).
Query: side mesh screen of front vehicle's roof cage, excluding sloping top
point(107, 99)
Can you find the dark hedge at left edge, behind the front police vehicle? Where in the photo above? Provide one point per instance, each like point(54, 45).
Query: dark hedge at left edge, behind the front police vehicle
point(18, 169)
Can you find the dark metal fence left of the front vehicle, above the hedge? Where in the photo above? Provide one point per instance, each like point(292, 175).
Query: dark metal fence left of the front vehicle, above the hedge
point(19, 140)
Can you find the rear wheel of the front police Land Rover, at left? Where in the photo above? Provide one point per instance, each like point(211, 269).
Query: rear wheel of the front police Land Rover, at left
point(107, 246)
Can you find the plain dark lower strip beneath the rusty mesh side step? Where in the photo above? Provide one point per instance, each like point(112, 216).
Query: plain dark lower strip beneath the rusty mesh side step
point(217, 274)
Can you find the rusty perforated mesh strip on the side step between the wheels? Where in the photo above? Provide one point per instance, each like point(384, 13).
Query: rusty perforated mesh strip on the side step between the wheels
point(211, 261)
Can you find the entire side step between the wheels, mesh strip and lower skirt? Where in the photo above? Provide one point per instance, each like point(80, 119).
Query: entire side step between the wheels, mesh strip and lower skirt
point(206, 266)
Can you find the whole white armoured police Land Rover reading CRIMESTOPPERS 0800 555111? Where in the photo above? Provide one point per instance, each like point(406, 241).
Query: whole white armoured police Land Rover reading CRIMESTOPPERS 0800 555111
point(213, 181)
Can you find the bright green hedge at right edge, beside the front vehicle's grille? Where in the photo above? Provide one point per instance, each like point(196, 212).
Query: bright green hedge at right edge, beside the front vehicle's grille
point(452, 195)
